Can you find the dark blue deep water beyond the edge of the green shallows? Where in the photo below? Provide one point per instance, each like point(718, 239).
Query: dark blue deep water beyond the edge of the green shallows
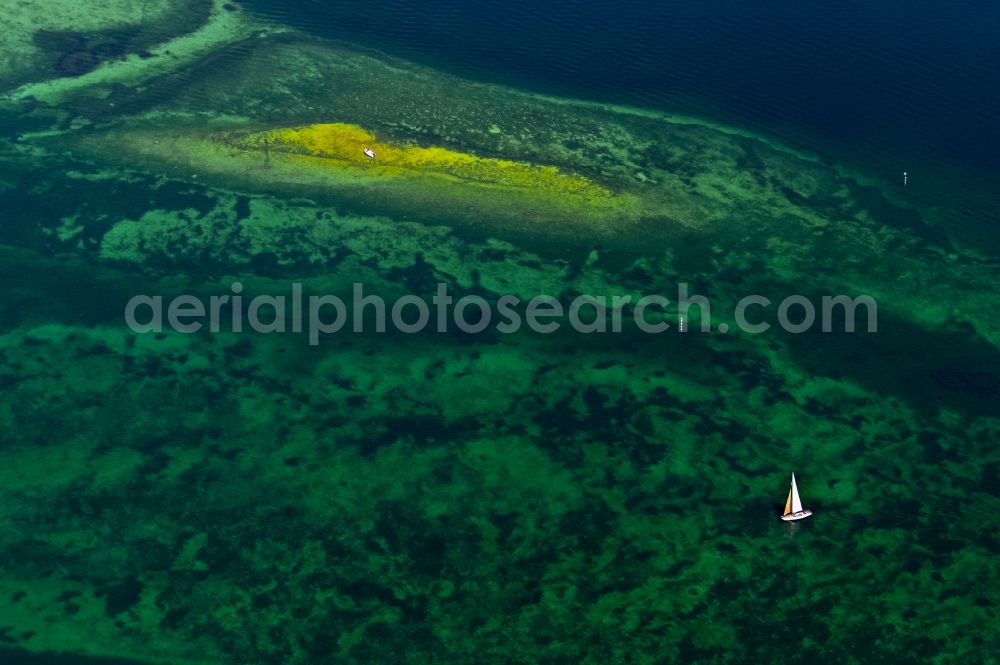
point(887, 85)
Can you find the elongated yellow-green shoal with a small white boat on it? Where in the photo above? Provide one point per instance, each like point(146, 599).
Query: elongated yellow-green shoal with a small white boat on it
point(404, 180)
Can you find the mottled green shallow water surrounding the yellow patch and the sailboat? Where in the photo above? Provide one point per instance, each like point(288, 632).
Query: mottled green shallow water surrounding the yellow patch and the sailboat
point(523, 498)
